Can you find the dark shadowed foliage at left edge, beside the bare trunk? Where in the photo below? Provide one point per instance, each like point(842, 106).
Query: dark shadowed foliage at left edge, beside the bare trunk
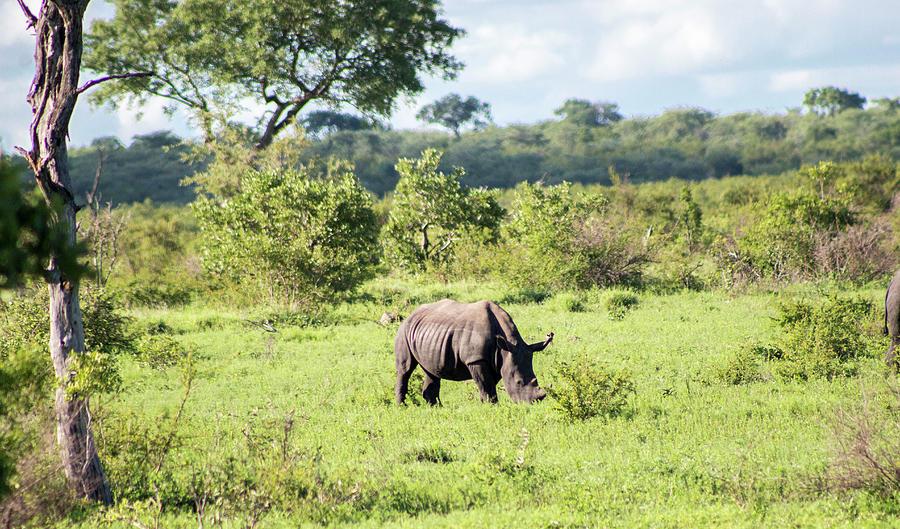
point(29, 234)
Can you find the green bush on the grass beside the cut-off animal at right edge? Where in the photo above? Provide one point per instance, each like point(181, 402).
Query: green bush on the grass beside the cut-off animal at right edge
point(822, 339)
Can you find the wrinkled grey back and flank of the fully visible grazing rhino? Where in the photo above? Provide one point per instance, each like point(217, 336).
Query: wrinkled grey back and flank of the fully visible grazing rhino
point(447, 335)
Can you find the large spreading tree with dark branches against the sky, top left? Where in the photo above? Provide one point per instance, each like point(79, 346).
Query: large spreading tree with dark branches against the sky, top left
point(280, 55)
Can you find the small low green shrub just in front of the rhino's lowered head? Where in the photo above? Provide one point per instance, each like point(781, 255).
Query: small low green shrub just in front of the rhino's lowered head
point(583, 390)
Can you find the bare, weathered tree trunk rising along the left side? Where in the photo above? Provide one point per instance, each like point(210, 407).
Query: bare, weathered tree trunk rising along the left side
point(52, 96)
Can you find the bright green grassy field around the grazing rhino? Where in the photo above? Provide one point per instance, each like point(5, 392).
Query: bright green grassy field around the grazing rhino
point(298, 427)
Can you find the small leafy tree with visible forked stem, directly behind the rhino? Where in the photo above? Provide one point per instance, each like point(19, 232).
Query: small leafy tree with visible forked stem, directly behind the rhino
point(432, 211)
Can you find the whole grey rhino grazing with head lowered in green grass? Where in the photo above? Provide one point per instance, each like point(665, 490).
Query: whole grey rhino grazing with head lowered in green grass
point(462, 341)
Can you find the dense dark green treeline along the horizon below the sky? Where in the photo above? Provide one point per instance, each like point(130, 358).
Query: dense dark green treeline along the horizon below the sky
point(686, 143)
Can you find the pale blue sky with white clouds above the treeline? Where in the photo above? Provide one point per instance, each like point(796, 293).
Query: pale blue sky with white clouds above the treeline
point(526, 57)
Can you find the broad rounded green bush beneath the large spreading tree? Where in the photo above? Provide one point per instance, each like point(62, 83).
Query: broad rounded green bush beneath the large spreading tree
point(294, 234)
